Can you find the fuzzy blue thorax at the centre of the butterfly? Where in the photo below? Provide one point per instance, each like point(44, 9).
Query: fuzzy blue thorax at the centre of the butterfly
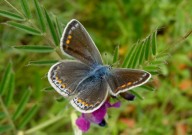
point(100, 71)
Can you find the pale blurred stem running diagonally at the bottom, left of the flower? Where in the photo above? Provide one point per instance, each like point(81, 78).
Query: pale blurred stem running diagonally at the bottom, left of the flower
point(43, 125)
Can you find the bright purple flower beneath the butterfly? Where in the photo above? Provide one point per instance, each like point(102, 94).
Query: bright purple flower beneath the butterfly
point(96, 117)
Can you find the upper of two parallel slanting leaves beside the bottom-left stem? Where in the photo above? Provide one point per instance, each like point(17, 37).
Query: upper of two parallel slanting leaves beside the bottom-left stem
point(22, 104)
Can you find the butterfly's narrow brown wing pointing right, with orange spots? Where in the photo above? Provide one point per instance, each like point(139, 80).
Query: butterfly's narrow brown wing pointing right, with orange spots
point(121, 80)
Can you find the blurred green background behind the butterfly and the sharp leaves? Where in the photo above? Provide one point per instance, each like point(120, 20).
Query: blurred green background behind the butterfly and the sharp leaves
point(167, 110)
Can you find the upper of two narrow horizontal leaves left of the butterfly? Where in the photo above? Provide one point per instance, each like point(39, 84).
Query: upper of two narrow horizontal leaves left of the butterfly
point(35, 48)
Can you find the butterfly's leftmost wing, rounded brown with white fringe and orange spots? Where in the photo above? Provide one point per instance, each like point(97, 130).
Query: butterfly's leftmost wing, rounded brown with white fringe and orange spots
point(65, 76)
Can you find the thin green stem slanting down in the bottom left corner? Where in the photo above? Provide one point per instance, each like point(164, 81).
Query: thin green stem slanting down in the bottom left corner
point(8, 115)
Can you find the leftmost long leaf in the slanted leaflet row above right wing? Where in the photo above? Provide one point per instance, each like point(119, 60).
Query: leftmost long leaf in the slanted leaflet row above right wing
point(128, 57)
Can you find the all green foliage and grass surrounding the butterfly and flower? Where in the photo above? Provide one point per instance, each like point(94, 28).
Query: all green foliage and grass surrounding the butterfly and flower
point(27, 100)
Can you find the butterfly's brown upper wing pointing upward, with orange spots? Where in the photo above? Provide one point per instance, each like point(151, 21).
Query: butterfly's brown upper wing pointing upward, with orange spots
point(77, 43)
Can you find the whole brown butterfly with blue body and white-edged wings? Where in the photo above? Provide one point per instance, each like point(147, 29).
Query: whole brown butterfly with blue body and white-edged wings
point(86, 81)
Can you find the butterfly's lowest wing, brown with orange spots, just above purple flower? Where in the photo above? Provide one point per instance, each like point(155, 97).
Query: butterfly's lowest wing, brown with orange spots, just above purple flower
point(92, 93)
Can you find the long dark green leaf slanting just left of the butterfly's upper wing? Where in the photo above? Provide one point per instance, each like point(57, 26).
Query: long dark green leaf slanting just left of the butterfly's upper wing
point(52, 29)
